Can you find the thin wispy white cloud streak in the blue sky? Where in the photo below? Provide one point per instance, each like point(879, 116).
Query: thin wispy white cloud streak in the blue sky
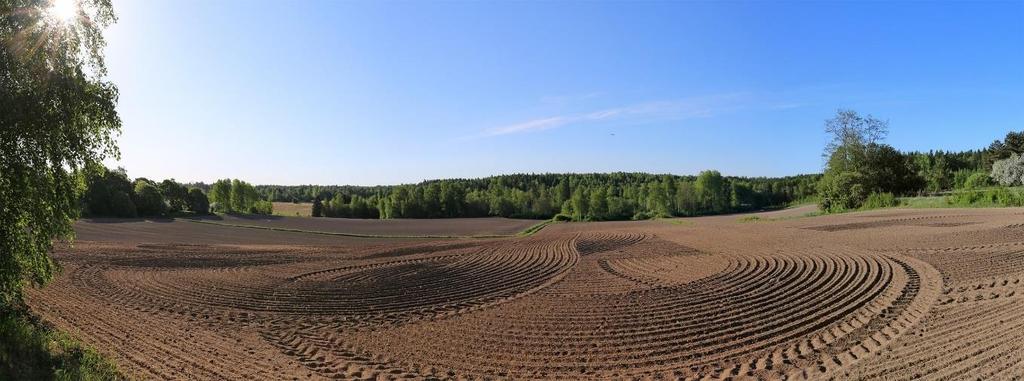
point(703, 107)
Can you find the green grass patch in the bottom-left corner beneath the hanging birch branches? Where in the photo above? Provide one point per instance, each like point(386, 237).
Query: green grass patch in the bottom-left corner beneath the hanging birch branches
point(31, 351)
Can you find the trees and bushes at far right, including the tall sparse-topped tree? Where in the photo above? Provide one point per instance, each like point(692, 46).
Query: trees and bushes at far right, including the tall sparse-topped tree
point(863, 171)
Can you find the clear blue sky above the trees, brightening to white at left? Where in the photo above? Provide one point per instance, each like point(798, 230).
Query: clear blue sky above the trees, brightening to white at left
point(391, 93)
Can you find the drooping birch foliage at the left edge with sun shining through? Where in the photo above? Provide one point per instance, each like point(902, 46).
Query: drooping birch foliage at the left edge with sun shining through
point(57, 116)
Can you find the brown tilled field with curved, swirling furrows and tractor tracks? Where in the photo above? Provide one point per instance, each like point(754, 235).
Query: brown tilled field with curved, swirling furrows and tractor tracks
point(895, 294)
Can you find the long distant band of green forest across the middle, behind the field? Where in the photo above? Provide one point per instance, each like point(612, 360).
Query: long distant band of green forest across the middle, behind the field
point(572, 197)
